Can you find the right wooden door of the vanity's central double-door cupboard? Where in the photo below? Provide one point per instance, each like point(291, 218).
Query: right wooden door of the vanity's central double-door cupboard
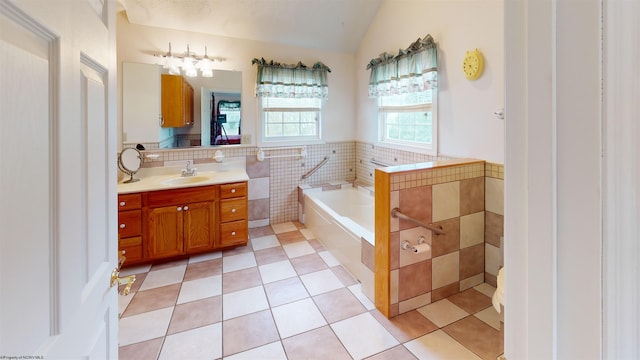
point(199, 222)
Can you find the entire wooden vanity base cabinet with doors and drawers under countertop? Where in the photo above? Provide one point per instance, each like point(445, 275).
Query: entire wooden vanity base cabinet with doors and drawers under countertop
point(159, 225)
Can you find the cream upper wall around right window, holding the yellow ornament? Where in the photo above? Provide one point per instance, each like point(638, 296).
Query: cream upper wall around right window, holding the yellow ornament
point(468, 127)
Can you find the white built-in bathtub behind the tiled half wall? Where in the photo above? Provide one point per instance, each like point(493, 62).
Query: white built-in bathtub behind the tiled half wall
point(342, 220)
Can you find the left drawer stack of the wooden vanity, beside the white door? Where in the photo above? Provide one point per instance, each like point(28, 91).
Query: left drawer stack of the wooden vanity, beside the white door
point(130, 227)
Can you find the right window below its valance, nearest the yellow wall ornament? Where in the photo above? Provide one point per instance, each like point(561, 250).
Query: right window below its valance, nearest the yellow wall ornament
point(409, 120)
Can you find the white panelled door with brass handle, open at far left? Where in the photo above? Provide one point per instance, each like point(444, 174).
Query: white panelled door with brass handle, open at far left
point(58, 238)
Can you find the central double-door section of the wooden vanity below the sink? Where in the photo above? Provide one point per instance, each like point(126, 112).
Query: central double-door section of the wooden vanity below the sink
point(180, 221)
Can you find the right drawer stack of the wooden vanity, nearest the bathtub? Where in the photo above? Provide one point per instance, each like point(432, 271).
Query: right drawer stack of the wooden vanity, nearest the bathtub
point(234, 229)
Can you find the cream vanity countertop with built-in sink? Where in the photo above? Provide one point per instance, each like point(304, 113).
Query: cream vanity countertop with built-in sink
point(153, 179)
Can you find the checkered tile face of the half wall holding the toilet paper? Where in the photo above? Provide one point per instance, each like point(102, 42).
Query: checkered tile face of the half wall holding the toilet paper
point(453, 198)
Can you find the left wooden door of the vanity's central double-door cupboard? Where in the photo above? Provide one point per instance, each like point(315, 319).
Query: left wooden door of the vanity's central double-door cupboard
point(165, 235)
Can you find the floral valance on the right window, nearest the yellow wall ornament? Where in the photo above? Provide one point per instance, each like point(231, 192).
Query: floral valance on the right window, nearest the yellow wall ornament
point(414, 69)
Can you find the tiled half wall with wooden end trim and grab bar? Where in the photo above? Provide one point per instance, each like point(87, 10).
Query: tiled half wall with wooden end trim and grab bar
point(450, 194)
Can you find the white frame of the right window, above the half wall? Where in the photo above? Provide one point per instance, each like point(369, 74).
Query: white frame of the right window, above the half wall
point(418, 147)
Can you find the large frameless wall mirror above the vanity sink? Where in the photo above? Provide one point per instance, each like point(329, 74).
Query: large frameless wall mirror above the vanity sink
point(217, 109)
